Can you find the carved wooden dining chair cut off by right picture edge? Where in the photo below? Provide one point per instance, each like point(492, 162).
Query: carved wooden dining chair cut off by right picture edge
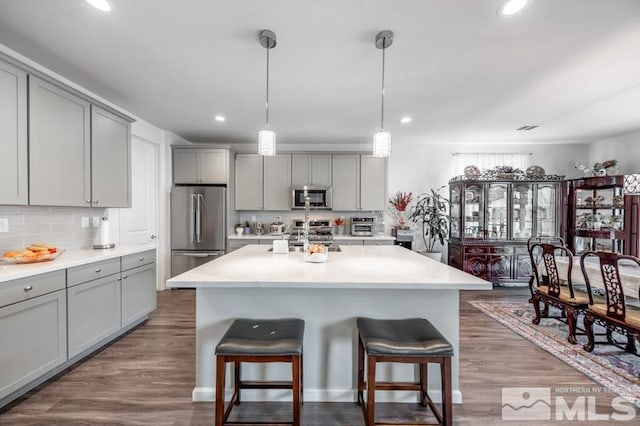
point(613, 313)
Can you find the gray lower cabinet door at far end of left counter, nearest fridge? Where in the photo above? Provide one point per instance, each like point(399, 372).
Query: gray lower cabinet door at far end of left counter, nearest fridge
point(138, 293)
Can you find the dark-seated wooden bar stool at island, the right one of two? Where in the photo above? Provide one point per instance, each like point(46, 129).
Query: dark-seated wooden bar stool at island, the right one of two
point(414, 341)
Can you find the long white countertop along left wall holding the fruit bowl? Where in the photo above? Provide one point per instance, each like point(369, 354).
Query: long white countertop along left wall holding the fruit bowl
point(68, 259)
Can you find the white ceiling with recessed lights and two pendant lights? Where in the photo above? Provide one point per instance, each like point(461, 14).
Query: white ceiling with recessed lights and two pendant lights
point(463, 73)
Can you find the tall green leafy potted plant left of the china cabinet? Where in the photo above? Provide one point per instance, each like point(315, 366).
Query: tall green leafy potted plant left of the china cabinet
point(430, 211)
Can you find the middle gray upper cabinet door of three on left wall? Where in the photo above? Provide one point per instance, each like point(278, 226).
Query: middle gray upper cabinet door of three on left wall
point(59, 146)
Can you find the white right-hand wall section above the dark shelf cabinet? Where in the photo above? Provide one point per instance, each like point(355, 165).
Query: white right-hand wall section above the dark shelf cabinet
point(624, 148)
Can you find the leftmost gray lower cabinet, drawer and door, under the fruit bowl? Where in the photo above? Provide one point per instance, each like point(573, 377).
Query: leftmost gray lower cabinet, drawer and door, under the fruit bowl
point(33, 332)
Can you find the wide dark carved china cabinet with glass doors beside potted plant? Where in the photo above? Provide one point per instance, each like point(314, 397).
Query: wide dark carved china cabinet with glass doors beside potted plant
point(492, 219)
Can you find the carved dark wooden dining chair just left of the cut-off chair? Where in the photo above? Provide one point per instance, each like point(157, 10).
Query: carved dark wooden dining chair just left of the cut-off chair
point(558, 291)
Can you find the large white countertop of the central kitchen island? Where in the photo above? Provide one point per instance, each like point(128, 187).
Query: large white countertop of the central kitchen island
point(361, 267)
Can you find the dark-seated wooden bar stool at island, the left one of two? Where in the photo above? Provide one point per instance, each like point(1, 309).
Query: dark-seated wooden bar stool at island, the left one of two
point(259, 341)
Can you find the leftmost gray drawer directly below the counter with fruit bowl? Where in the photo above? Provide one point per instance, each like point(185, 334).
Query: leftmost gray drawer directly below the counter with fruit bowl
point(30, 287)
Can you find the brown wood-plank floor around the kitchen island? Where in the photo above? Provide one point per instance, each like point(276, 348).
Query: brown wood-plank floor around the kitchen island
point(146, 377)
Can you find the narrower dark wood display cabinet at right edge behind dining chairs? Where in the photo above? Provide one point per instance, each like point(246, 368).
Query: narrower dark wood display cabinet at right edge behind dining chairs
point(598, 215)
